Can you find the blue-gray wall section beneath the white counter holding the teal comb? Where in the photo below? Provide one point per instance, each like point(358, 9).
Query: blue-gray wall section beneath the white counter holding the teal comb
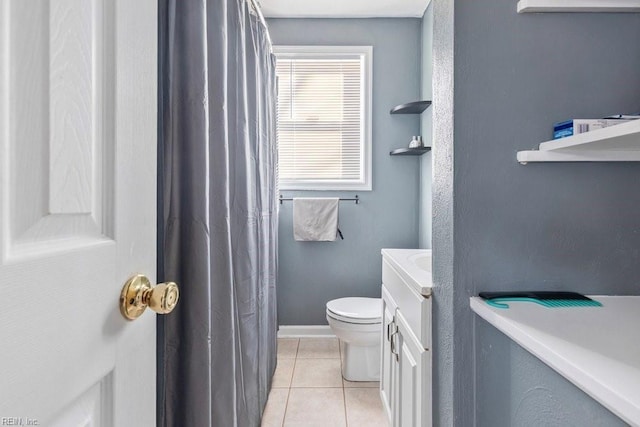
point(518, 389)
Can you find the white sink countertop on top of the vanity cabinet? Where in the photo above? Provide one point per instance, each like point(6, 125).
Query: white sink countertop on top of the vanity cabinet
point(414, 265)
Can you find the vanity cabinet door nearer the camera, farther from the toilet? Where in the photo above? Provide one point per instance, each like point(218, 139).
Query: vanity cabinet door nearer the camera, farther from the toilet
point(414, 394)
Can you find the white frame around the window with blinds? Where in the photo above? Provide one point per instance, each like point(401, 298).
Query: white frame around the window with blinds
point(366, 52)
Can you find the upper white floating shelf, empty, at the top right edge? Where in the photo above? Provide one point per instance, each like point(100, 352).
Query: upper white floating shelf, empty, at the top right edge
point(525, 6)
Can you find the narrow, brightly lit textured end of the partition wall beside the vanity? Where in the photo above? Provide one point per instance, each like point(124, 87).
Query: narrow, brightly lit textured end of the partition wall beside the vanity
point(448, 408)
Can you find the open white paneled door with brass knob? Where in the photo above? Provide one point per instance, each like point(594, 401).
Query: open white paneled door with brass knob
point(77, 210)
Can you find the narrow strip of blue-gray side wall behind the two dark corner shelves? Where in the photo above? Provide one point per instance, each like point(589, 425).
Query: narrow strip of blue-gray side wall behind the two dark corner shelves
point(426, 128)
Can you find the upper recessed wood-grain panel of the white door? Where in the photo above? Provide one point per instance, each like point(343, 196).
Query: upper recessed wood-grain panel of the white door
point(59, 124)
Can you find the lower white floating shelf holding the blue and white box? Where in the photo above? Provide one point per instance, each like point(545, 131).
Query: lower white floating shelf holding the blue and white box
point(620, 143)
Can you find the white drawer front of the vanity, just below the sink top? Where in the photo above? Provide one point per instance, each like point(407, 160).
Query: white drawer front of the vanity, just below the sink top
point(416, 309)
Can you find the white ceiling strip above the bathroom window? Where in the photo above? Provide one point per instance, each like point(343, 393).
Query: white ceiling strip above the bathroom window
point(343, 8)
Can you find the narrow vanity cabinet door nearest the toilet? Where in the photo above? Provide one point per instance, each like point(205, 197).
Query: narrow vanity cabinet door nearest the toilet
point(388, 359)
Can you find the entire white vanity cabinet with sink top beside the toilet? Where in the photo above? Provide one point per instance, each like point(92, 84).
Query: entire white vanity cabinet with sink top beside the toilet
point(405, 384)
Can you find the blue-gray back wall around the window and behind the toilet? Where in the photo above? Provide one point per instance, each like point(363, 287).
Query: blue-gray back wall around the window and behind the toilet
point(312, 273)
